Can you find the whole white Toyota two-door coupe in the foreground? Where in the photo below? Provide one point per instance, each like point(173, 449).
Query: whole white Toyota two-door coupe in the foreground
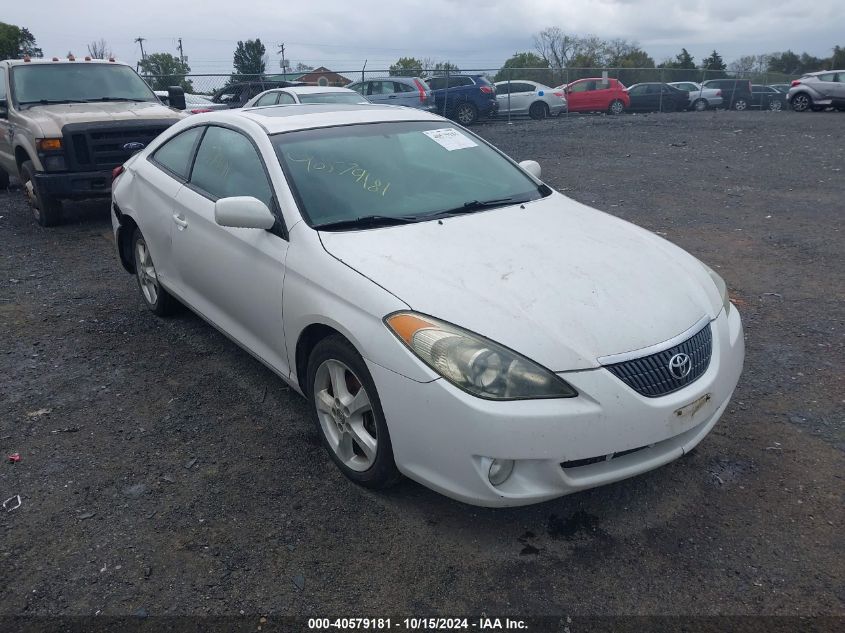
point(448, 316)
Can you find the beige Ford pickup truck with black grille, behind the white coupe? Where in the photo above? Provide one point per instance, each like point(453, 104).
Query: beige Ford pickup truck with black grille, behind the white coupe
point(65, 124)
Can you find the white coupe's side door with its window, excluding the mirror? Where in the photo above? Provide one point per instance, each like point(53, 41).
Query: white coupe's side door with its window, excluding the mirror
point(233, 277)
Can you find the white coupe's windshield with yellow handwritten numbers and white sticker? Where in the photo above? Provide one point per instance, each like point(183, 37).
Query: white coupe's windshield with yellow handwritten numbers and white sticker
point(403, 170)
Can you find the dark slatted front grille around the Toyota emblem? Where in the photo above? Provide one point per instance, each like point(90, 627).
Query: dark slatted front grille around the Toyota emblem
point(650, 376)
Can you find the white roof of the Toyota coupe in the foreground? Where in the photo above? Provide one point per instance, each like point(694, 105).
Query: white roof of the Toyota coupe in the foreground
point(288, 118)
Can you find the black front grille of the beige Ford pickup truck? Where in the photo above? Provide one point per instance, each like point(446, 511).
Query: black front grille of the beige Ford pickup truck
point(100, 146)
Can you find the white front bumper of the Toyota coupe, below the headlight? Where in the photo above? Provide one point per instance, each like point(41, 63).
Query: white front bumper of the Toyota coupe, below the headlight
point(445, 438)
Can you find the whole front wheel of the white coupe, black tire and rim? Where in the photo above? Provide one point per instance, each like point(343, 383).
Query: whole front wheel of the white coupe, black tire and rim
point(358, 440)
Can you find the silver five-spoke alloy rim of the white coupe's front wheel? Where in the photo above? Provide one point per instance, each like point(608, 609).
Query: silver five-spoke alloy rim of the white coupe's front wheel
point(346, 415)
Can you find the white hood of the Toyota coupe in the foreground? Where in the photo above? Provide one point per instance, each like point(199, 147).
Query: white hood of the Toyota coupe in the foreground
point(555, 280)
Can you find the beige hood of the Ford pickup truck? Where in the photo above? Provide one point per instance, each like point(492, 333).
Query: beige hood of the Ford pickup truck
point(51, 118)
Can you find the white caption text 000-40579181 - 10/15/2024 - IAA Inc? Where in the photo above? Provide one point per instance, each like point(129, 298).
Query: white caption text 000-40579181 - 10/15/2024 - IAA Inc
point(417, 624)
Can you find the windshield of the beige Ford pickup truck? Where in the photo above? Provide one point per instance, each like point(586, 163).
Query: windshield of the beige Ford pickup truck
point(64, 82)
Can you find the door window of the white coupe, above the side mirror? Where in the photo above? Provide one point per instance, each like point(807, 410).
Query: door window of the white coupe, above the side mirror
point(228, 165)
